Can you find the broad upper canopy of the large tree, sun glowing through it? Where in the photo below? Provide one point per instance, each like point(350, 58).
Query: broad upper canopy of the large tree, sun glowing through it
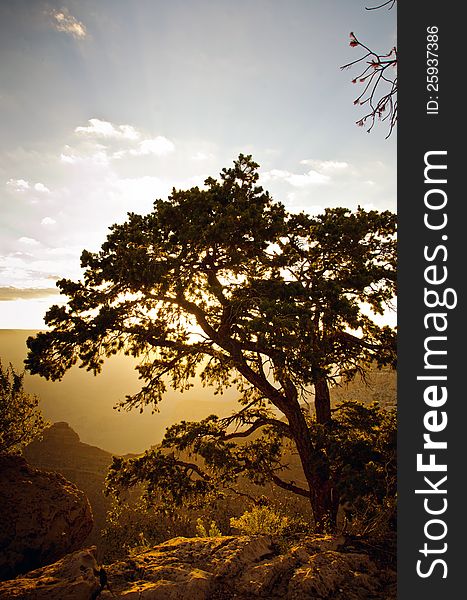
point(229, 261)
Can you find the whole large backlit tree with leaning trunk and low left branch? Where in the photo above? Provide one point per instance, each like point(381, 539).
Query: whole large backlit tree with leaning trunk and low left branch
point(224, 284)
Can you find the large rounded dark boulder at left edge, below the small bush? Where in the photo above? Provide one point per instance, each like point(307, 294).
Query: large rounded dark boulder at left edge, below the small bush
point(47, 517)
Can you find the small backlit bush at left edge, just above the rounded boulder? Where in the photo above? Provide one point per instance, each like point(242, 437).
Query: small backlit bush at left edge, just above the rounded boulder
point(20, 418)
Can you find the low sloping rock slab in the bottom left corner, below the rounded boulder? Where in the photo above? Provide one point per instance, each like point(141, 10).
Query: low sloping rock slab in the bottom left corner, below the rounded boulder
point(74, 577)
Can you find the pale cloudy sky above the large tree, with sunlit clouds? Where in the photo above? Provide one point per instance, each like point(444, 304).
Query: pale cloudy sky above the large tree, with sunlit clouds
point(106, 105)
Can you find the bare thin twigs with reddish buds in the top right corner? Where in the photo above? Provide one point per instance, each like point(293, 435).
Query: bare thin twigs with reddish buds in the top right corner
point(379, 79)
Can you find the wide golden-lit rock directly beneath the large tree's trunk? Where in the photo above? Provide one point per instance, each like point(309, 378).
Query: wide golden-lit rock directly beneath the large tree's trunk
point(248, 567)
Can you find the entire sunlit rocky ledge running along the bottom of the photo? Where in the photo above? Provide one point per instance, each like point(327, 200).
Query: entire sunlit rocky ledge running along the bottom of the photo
point(221, 568)
